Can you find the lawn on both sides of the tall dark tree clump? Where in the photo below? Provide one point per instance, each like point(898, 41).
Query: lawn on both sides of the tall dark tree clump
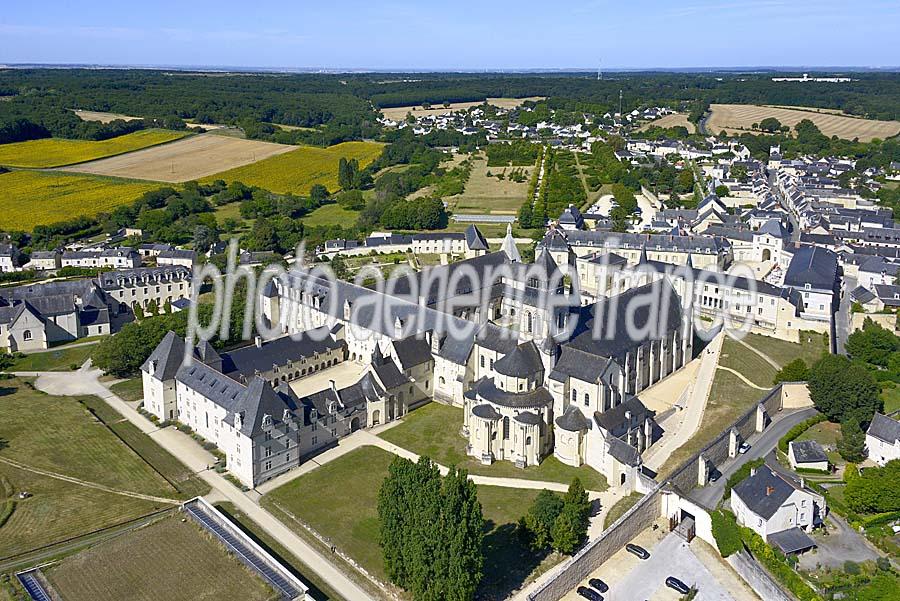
point(351, 520)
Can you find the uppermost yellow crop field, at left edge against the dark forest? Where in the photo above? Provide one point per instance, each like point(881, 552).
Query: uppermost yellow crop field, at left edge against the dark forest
point(57, 152)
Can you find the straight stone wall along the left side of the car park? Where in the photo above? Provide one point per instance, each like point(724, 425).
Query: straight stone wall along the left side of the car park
point(576, 569)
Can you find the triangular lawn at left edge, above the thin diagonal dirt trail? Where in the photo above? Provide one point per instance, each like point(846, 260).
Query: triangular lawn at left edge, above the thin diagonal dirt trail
point(59, 434)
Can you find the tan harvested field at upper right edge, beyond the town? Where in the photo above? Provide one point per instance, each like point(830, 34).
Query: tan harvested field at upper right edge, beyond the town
point(738, 118)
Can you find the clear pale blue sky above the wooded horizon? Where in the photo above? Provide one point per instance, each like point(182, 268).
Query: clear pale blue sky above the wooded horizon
point(487, 34)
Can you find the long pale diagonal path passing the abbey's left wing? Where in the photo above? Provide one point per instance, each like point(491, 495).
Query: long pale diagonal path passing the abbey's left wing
point(182, 446)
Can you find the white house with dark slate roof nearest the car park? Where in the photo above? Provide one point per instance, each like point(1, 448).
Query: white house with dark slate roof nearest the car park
point(777, 508)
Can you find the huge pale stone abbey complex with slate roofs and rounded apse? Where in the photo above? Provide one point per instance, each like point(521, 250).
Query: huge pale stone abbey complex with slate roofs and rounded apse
point(537, 368)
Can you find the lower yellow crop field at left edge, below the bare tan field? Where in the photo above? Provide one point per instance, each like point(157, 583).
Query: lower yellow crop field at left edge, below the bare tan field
point(37, 198)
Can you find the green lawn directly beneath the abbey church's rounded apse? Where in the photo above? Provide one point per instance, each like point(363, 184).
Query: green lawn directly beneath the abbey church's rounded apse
point(433, 430)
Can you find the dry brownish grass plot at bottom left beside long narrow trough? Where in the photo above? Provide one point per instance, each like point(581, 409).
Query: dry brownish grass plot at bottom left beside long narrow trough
point(170, 559)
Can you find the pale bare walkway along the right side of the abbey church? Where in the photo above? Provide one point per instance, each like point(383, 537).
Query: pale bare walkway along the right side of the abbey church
point(683, 429)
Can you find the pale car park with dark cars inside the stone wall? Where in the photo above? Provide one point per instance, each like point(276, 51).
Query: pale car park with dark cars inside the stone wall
point(633, 579)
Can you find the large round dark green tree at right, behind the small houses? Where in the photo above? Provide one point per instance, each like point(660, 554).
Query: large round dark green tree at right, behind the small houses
point(841, 389)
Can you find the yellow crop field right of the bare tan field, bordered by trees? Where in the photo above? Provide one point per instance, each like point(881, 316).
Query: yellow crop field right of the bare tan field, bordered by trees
point(296, 171)
